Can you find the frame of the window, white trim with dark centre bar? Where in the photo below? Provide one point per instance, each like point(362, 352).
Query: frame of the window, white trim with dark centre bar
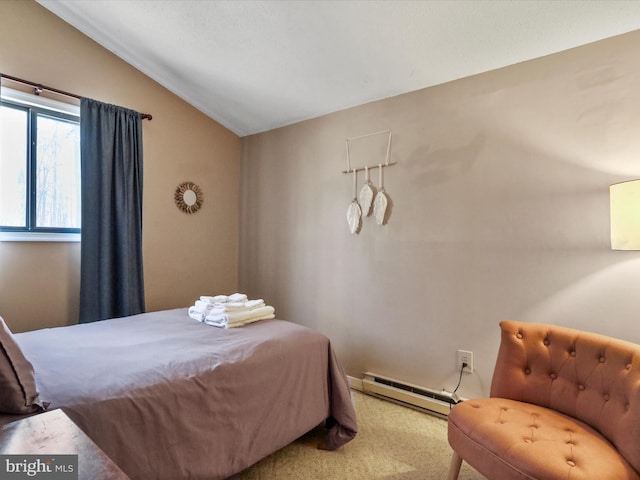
point(36, 105)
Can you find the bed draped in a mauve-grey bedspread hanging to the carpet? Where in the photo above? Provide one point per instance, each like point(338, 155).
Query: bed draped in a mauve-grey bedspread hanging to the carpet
point(167, 397)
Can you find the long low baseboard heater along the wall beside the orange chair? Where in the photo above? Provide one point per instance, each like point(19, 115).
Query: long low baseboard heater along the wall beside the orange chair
point(431, 401)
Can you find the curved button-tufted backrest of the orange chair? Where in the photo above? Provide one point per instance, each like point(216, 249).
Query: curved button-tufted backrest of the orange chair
point(593, 378)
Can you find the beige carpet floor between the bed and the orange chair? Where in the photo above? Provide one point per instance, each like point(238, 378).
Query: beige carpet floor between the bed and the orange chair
point(393, 442)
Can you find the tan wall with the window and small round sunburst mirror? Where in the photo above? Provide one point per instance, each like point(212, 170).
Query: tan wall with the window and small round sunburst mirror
point(184, 255)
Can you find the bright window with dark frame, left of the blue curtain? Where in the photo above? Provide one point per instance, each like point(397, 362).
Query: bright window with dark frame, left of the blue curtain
point(39, 168)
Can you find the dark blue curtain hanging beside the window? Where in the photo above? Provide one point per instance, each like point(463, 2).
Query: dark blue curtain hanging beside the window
point(111, 273)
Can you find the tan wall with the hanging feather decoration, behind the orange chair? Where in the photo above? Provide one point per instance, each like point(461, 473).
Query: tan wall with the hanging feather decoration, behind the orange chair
point(499, 210)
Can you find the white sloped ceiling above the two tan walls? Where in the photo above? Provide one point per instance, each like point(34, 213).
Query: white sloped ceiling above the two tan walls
point(255, 65)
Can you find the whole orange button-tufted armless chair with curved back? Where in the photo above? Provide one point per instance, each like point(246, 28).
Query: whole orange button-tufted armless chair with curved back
point(564, 404)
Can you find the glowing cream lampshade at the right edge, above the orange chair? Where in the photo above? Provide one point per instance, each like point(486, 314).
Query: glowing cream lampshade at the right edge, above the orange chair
point(625, 215)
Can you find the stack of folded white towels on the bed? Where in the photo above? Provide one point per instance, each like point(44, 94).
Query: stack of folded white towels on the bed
point(228, 311)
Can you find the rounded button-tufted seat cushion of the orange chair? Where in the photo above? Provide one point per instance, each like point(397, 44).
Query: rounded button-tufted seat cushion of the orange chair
point(506, 439)
